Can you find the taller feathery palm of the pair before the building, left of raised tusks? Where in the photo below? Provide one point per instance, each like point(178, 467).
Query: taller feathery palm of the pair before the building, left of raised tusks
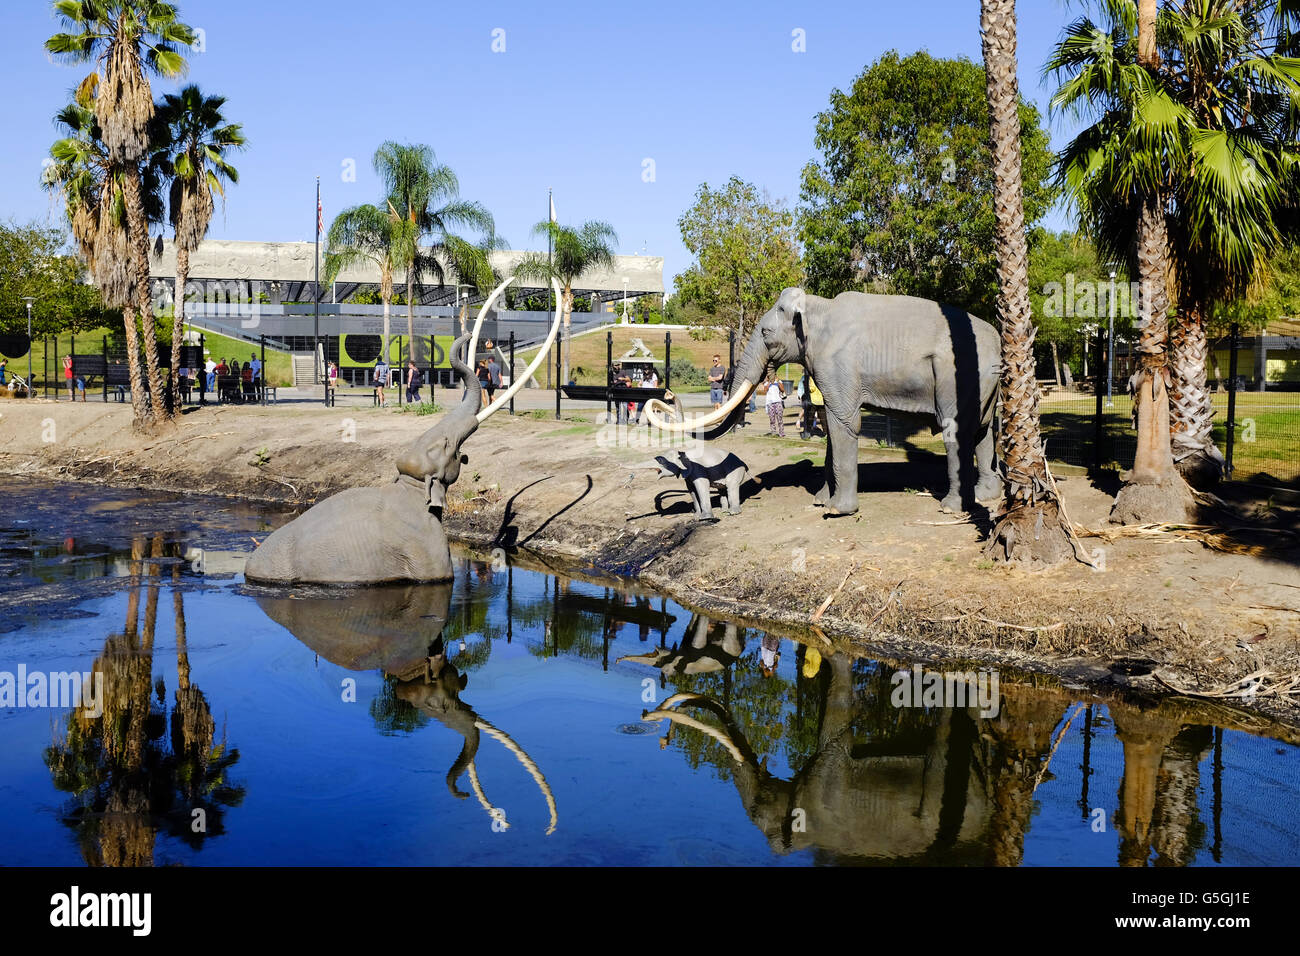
point(424, 200)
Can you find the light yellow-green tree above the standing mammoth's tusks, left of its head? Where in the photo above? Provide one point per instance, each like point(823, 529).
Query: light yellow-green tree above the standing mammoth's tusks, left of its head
point(746, 253)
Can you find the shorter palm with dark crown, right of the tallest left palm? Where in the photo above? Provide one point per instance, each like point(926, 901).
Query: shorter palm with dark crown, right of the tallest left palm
point(197, 140)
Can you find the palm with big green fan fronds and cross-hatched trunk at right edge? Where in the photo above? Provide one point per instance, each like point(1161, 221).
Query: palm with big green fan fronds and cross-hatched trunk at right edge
point(1223, 157)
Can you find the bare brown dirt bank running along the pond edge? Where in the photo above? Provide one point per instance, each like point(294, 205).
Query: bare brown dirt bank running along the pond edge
point(903, 577)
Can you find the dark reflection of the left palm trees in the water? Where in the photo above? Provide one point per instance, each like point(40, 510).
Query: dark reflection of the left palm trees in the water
point(127, 784)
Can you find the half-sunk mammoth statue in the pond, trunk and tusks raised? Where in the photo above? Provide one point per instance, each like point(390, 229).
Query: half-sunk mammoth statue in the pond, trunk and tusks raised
point(391, 533)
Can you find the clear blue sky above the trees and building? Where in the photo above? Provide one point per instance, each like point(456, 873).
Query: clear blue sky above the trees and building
point(582, 97)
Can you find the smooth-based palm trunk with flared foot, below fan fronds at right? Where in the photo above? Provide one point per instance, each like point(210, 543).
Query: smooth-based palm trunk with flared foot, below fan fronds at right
point(1154, 490)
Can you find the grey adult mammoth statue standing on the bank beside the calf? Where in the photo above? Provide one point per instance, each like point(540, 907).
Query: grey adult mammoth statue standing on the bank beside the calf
point(895, 354)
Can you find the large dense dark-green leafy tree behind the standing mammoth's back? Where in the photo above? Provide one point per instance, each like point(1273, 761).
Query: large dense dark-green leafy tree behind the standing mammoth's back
point(902, 200)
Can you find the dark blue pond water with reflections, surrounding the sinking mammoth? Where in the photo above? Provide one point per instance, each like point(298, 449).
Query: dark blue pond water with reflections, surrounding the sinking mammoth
point(245, 726)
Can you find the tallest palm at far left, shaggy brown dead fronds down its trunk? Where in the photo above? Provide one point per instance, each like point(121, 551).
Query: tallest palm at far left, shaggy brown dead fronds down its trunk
point(127, 41)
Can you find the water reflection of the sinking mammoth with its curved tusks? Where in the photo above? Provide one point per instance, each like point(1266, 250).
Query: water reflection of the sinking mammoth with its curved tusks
point(398, 630)
